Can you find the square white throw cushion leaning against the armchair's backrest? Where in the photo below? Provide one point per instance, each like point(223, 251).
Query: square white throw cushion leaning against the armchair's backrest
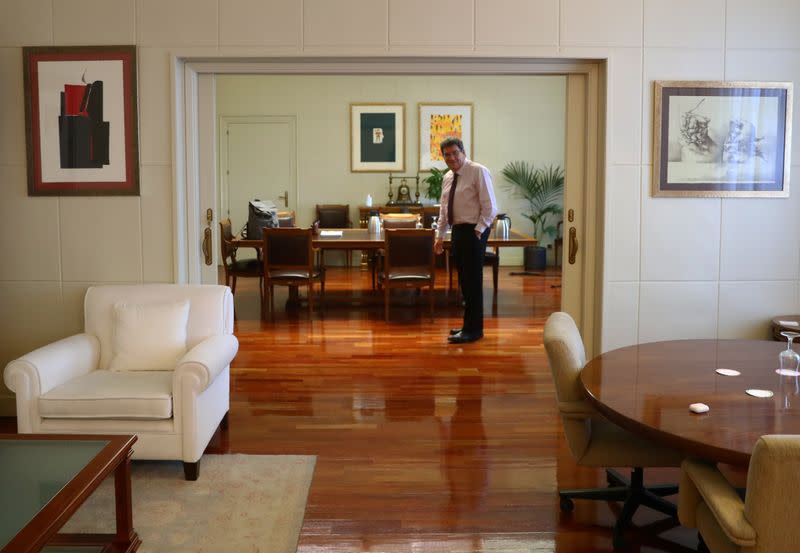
point(149, 336)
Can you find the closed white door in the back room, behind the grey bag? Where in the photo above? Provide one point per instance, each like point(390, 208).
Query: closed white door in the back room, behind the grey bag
point(257, 160)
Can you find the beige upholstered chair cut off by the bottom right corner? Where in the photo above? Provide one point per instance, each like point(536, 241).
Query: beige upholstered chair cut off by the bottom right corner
point(766, 521)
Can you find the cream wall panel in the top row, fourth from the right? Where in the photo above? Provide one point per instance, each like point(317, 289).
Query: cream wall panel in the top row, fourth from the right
point(420, 23)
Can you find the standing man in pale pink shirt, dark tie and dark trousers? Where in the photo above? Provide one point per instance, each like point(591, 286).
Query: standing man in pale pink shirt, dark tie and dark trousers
point(468, 207)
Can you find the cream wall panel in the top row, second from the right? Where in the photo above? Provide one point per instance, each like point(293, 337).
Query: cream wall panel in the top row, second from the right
point(684, 23)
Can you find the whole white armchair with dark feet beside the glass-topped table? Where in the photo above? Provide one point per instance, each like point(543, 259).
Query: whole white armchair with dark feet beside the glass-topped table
point(75, 385)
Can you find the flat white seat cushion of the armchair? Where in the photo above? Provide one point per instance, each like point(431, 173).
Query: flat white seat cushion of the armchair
point(103, 394)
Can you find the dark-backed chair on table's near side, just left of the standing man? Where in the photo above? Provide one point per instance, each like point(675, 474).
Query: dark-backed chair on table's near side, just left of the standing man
point(408, 263)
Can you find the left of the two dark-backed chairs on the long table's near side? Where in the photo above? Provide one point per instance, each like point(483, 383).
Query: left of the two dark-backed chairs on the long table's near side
point(288, 255)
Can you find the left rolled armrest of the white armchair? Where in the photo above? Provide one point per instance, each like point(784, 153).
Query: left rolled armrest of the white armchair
point(43, 369)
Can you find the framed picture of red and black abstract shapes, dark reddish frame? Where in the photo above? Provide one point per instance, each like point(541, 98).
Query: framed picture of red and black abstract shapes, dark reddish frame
point(81, 123)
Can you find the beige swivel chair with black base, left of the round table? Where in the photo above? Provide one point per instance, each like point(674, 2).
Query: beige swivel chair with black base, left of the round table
point(596, 442)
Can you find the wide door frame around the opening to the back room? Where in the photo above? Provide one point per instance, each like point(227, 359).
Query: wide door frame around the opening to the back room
point(190, 114)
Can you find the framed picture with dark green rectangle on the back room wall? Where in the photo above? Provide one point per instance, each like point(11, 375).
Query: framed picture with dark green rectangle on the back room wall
point(377, 137)
